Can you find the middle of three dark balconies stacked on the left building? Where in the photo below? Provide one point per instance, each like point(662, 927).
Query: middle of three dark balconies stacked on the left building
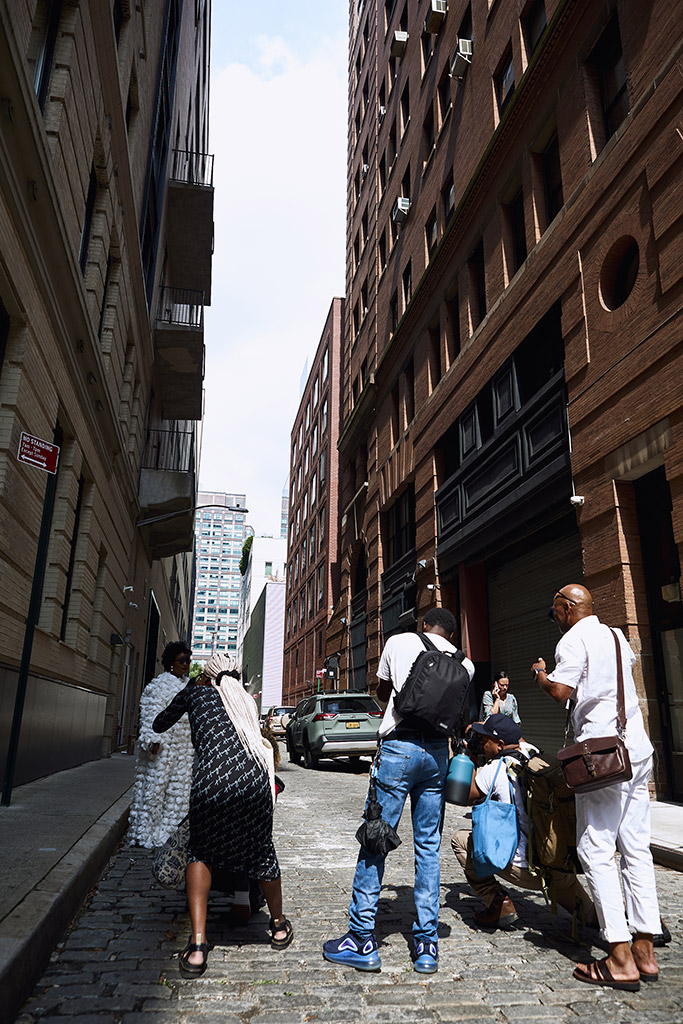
point(180, 354)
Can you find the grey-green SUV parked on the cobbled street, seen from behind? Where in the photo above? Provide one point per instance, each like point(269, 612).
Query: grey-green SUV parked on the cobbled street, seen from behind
point(333, 726)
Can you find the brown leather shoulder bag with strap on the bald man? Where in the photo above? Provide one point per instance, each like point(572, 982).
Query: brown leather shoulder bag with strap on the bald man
point(600, 761)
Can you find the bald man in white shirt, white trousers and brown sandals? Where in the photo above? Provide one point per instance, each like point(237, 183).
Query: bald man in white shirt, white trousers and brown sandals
point(619, 817)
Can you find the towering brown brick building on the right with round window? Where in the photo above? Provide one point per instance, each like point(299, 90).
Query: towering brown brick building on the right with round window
point(515, 269)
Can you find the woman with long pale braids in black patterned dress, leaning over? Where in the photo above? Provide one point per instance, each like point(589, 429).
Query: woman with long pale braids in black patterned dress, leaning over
point(232, 800)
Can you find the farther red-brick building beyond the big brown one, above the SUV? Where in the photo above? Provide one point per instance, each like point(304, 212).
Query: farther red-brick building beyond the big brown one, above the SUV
point(313, 570)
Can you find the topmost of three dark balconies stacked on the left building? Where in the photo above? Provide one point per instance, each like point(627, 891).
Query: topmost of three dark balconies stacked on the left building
point(190, 222)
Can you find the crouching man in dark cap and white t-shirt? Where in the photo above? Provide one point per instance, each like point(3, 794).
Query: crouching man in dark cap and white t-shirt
point(501, 739)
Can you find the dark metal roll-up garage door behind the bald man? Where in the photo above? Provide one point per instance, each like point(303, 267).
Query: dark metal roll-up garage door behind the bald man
point(521, 591)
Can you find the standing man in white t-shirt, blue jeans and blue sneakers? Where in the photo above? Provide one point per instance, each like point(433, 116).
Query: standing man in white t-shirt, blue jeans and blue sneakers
point(412, 762)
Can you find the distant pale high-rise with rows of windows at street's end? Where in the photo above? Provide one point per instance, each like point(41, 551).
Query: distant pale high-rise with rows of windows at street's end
point(221, 532)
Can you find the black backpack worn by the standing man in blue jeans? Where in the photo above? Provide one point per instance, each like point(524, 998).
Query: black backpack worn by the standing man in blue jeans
point(435, 695)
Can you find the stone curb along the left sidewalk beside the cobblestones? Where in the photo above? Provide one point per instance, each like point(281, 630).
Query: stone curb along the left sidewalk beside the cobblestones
point(31, 932)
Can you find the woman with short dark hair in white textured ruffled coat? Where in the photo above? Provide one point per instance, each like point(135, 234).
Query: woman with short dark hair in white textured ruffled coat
point(164, 770)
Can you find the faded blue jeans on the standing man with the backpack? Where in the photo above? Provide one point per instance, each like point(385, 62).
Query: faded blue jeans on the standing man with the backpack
point(417, 769)
